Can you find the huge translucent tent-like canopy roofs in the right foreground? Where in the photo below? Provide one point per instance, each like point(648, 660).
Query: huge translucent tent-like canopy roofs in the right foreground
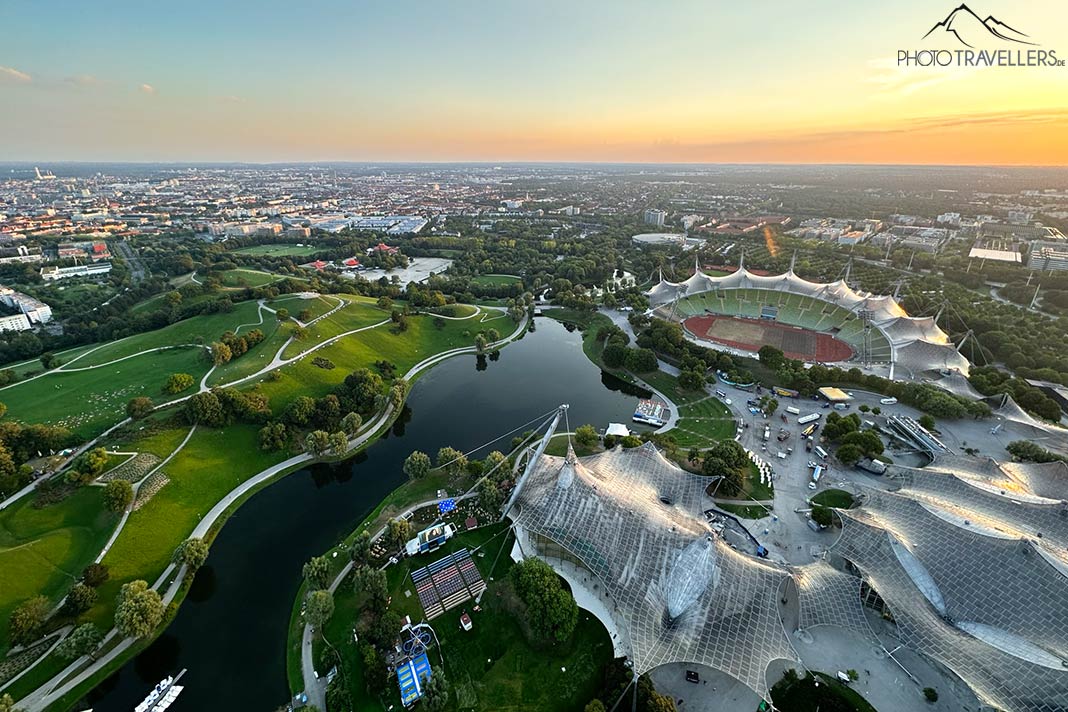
point(963, 563)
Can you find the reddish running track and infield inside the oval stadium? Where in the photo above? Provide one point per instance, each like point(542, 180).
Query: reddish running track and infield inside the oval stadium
point(751, 335)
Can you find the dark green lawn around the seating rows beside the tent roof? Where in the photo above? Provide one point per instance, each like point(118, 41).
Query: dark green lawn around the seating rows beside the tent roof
point(494, 667)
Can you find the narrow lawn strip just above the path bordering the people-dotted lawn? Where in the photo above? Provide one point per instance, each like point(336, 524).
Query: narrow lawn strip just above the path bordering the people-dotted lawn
point(205, 329)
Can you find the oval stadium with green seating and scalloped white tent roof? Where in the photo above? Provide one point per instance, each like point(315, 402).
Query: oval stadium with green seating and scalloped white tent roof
point(816, 323)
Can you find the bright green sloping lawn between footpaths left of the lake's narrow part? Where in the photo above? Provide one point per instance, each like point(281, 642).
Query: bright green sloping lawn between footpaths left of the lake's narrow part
point(213, 463)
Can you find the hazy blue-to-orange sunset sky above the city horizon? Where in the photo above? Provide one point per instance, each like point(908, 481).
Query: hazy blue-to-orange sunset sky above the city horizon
point(504, 81)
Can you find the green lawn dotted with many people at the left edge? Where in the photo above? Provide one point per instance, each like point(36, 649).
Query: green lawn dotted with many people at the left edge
point(89, 402)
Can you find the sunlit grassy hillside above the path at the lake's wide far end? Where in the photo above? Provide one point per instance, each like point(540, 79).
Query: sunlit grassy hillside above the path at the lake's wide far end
point(405, 350)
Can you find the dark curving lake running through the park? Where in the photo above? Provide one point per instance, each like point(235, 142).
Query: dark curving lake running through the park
point(231, 630)
